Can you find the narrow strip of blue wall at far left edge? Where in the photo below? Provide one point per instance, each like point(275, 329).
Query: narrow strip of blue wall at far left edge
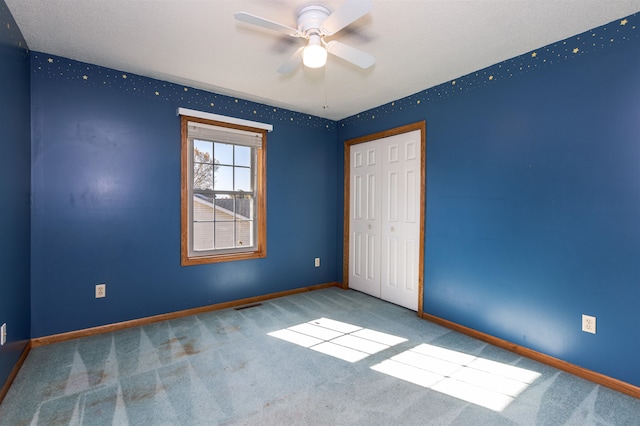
point(14, 191)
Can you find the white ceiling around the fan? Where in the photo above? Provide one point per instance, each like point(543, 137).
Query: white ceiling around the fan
point(418, 43)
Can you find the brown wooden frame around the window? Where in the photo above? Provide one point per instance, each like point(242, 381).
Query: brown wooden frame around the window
point(259, 249)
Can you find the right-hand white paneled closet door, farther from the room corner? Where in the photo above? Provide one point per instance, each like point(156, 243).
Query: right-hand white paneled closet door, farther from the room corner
point(400, 228)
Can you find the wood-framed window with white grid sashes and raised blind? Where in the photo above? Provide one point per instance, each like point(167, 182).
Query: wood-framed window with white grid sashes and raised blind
point(222, 191)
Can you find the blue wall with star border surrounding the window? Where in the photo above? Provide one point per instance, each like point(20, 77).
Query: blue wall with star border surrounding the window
point(106, 199)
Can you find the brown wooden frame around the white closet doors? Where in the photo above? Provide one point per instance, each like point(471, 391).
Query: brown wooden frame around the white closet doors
point(422, 126)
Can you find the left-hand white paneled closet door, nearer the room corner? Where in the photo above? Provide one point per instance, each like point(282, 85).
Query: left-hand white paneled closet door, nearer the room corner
point(364, 265)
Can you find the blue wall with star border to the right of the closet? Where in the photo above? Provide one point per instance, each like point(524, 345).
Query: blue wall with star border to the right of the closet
point(533, 197)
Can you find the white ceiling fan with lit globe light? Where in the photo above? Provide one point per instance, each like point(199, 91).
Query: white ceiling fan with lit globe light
point(314, 23)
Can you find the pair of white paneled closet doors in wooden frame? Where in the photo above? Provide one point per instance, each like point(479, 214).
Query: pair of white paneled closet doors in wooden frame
point(385, 218)
